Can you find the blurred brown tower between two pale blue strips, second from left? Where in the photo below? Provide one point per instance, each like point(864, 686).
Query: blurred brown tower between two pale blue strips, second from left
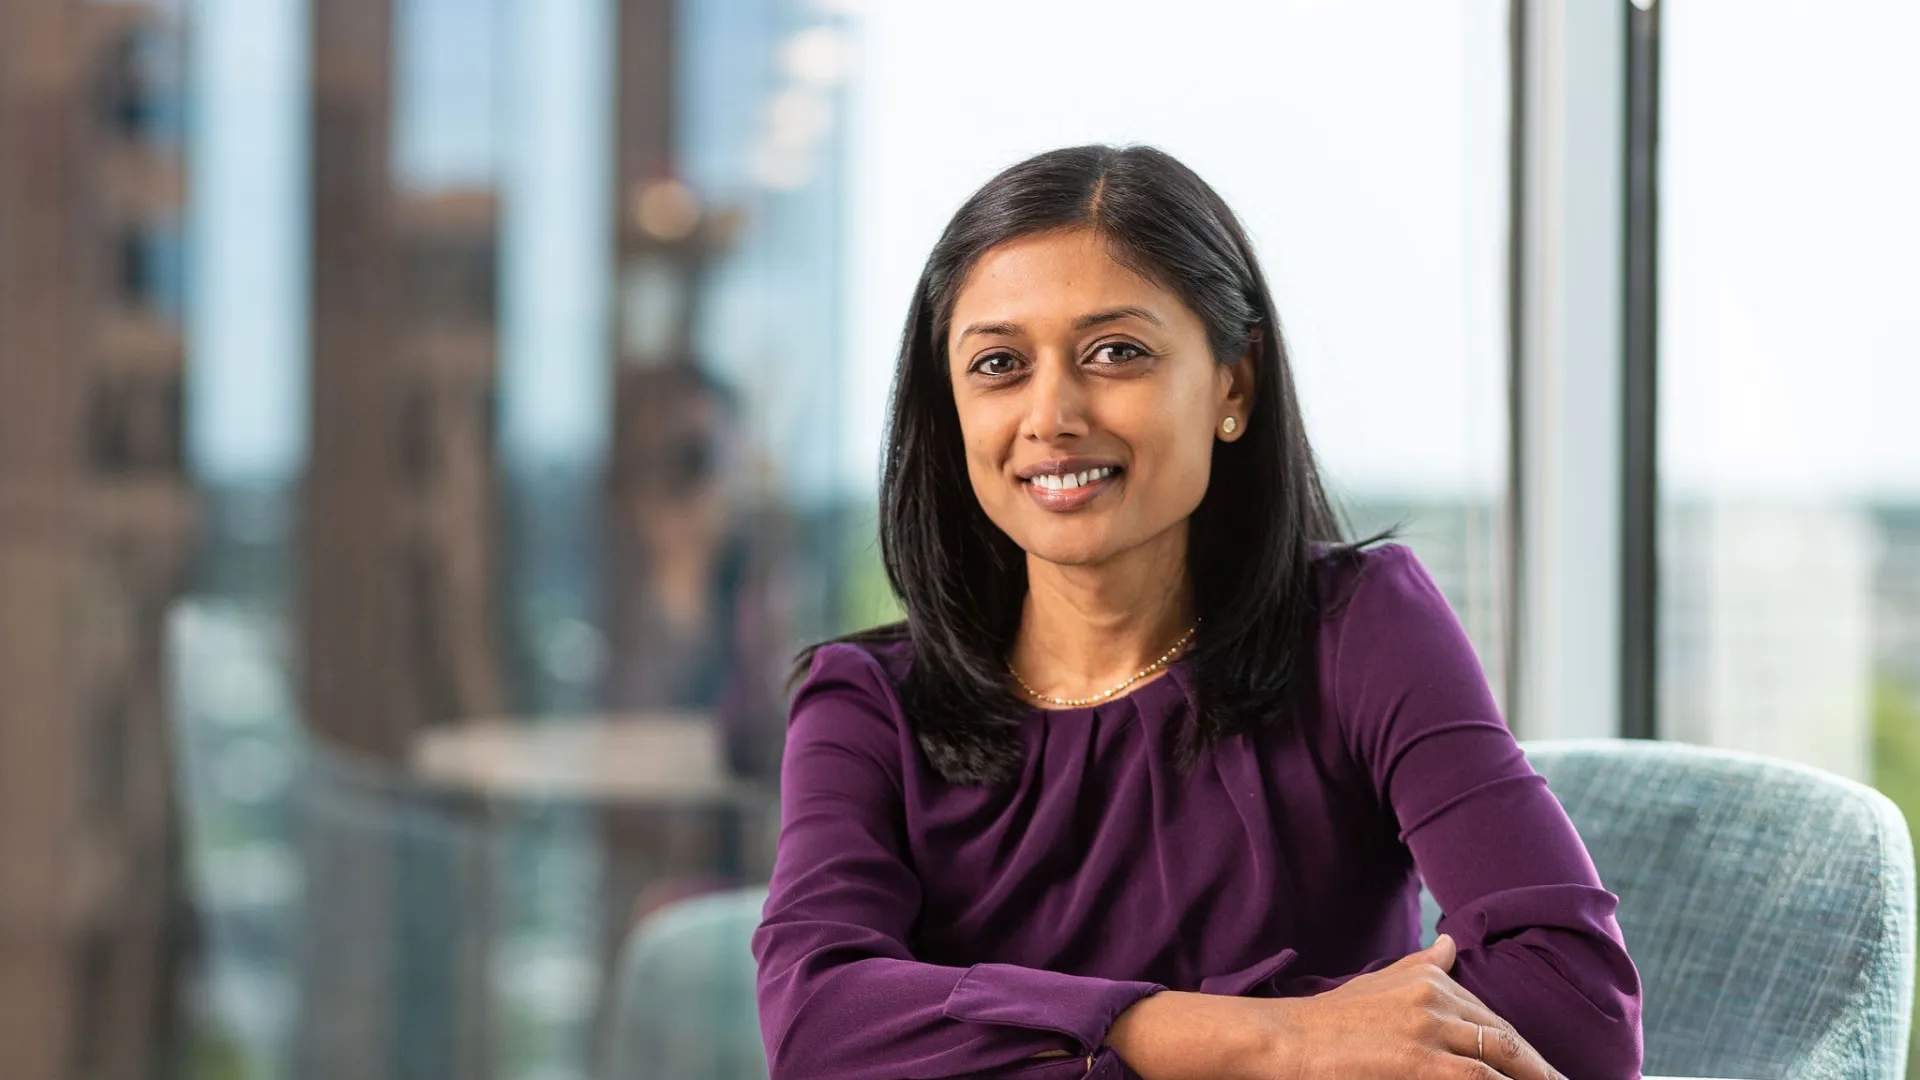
point(400, 485)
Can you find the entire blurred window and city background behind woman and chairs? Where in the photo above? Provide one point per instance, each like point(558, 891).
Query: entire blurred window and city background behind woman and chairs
point(429, 430)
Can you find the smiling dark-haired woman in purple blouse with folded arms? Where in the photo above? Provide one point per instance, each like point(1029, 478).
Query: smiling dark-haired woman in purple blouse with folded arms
point(1147, 781)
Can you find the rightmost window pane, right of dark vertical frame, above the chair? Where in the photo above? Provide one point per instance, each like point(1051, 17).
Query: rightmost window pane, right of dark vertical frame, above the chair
point(1790, 479)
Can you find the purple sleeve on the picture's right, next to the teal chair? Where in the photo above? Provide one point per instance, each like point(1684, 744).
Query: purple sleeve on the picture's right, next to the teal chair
point(1537, 933)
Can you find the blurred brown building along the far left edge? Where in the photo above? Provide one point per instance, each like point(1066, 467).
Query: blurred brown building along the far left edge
point(95, 522)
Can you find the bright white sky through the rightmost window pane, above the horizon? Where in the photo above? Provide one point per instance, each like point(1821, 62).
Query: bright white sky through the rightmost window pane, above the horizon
point(1790, 310)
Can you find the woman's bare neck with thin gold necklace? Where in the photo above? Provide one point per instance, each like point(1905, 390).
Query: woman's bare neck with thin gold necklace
point(1086, 629)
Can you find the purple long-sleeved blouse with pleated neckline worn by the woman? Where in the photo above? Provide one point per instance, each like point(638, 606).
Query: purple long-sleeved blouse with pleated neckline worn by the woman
point(921, 929)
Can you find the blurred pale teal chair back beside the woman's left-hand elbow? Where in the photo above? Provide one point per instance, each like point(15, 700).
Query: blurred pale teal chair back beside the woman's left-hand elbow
point(684, 996)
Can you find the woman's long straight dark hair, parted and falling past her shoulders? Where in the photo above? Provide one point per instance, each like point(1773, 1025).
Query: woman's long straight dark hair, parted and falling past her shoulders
point(1253, 541)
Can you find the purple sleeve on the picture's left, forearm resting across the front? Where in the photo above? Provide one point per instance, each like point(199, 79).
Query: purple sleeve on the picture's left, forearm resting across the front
point(842, 998)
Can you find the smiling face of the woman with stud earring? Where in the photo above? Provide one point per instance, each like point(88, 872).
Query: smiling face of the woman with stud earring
point(1090, 399)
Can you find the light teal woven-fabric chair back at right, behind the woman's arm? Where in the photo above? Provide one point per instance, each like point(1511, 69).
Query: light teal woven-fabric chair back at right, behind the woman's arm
point(1767, 906)
